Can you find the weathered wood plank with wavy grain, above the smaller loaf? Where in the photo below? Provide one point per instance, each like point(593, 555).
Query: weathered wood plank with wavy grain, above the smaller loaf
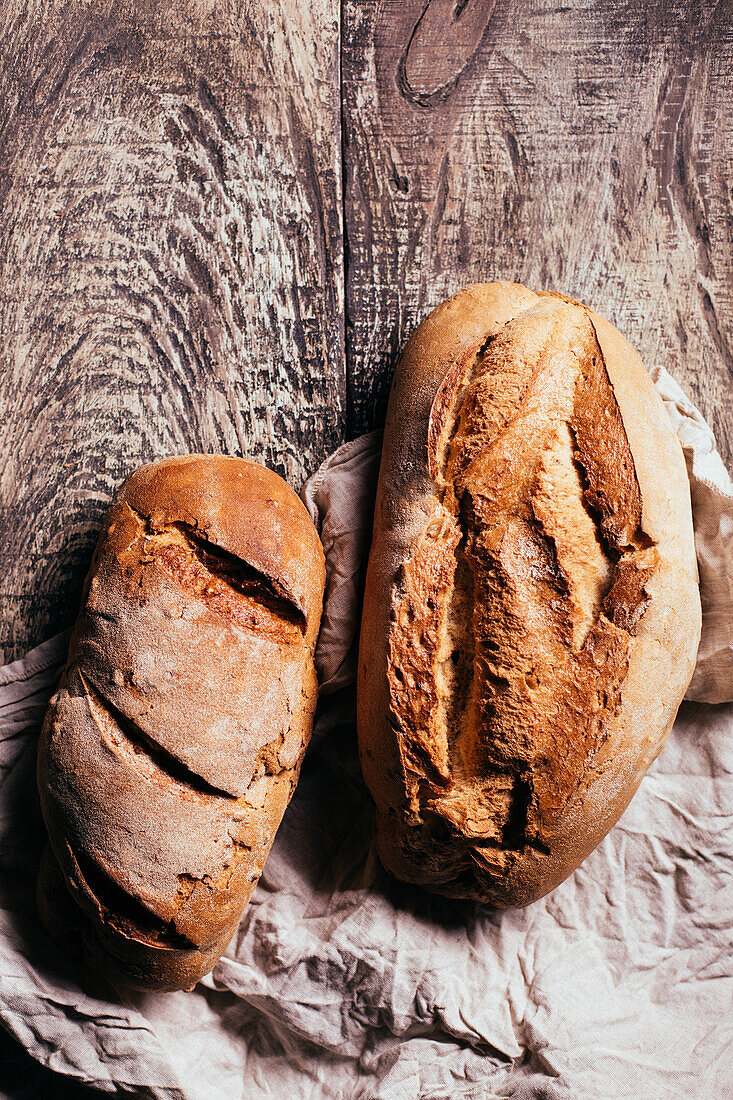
point(171, 261)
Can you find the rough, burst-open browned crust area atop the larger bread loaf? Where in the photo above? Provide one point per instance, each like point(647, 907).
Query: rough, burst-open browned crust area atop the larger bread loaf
point(508, 645)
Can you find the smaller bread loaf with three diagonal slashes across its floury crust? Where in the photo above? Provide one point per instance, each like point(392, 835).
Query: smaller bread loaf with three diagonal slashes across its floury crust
point(173, 745)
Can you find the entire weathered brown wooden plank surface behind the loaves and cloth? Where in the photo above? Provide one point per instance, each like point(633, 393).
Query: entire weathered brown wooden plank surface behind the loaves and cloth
point(220, 223)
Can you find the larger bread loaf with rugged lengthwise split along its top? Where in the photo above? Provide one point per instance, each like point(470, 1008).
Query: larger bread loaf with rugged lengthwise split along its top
point(532, 612)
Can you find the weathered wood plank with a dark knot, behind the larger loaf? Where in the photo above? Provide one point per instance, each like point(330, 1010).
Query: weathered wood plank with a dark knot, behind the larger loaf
point(579, 147)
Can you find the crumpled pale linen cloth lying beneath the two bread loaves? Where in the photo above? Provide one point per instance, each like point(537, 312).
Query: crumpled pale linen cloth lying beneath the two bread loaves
point(343, 983)
